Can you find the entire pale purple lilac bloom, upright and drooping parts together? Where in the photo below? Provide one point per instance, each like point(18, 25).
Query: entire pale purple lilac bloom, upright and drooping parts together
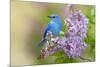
point(72, 43)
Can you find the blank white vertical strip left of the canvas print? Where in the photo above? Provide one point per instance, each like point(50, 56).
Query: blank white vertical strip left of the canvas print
point(4, 33)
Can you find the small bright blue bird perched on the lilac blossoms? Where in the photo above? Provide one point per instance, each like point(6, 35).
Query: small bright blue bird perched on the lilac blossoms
point(54, 26)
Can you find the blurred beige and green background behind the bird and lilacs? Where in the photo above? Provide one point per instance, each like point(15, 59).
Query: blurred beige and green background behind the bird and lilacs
point(28, 20)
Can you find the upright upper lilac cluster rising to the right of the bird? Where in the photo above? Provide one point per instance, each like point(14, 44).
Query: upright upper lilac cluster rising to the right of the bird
point(77, 24)
